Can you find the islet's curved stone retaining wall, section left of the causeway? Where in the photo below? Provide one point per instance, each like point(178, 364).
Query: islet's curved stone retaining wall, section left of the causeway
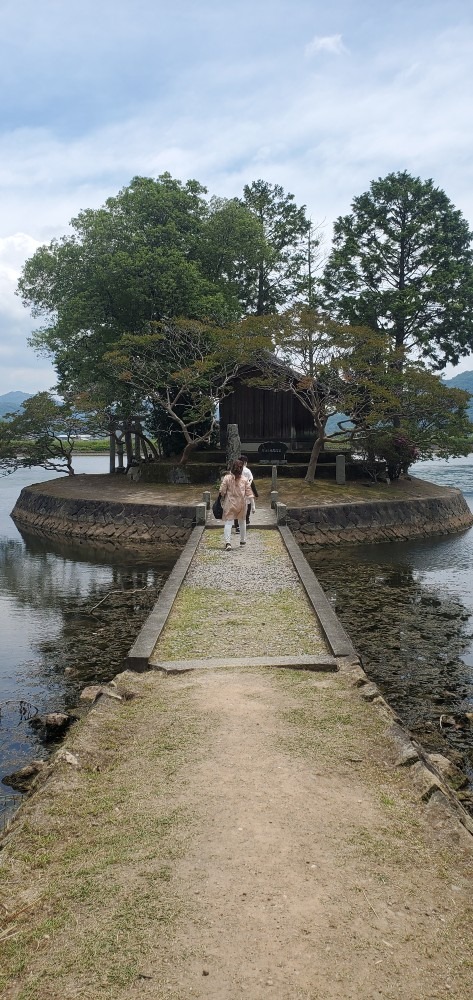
point(99, 521)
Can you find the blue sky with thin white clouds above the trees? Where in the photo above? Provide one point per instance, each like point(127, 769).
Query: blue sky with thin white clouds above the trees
point(321, 98)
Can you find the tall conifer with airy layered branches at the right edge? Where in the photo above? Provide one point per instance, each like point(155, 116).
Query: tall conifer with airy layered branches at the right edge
point(402, 262)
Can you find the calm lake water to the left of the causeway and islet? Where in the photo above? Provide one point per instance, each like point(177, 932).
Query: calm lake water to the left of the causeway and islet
point(50, 645)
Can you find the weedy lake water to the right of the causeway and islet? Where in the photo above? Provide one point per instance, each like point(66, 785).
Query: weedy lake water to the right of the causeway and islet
point(409, 610)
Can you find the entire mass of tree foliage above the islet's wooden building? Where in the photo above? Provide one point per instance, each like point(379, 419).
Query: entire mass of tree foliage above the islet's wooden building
point(155, 298)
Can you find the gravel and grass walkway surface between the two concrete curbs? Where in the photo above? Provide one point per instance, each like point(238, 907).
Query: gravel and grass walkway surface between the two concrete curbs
point(248, 600)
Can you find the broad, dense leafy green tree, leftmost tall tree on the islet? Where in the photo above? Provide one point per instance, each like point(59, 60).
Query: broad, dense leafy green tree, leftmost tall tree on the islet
point(157, 249)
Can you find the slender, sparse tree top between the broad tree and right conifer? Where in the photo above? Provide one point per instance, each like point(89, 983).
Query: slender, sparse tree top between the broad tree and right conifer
point(281, 273)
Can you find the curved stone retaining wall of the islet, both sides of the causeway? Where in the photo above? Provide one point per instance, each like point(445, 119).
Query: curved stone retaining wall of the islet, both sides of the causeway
point(136, 524)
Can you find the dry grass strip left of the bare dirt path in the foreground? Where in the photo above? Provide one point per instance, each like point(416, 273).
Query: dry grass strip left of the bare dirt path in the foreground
point(100, 854)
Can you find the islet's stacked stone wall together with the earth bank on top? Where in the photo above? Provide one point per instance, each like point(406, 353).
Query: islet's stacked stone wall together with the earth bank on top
point(106, 509)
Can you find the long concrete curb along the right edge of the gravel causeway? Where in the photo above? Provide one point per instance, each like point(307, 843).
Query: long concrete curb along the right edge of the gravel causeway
point(338, 640)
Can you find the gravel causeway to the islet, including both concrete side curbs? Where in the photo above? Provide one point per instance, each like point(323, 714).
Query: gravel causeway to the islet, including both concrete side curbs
point(257, 605)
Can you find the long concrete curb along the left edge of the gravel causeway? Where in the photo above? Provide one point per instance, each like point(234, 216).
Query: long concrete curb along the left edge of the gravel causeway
point(148, 635)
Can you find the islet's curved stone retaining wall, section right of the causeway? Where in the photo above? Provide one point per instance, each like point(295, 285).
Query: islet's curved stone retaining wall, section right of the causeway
point(379, 521)
